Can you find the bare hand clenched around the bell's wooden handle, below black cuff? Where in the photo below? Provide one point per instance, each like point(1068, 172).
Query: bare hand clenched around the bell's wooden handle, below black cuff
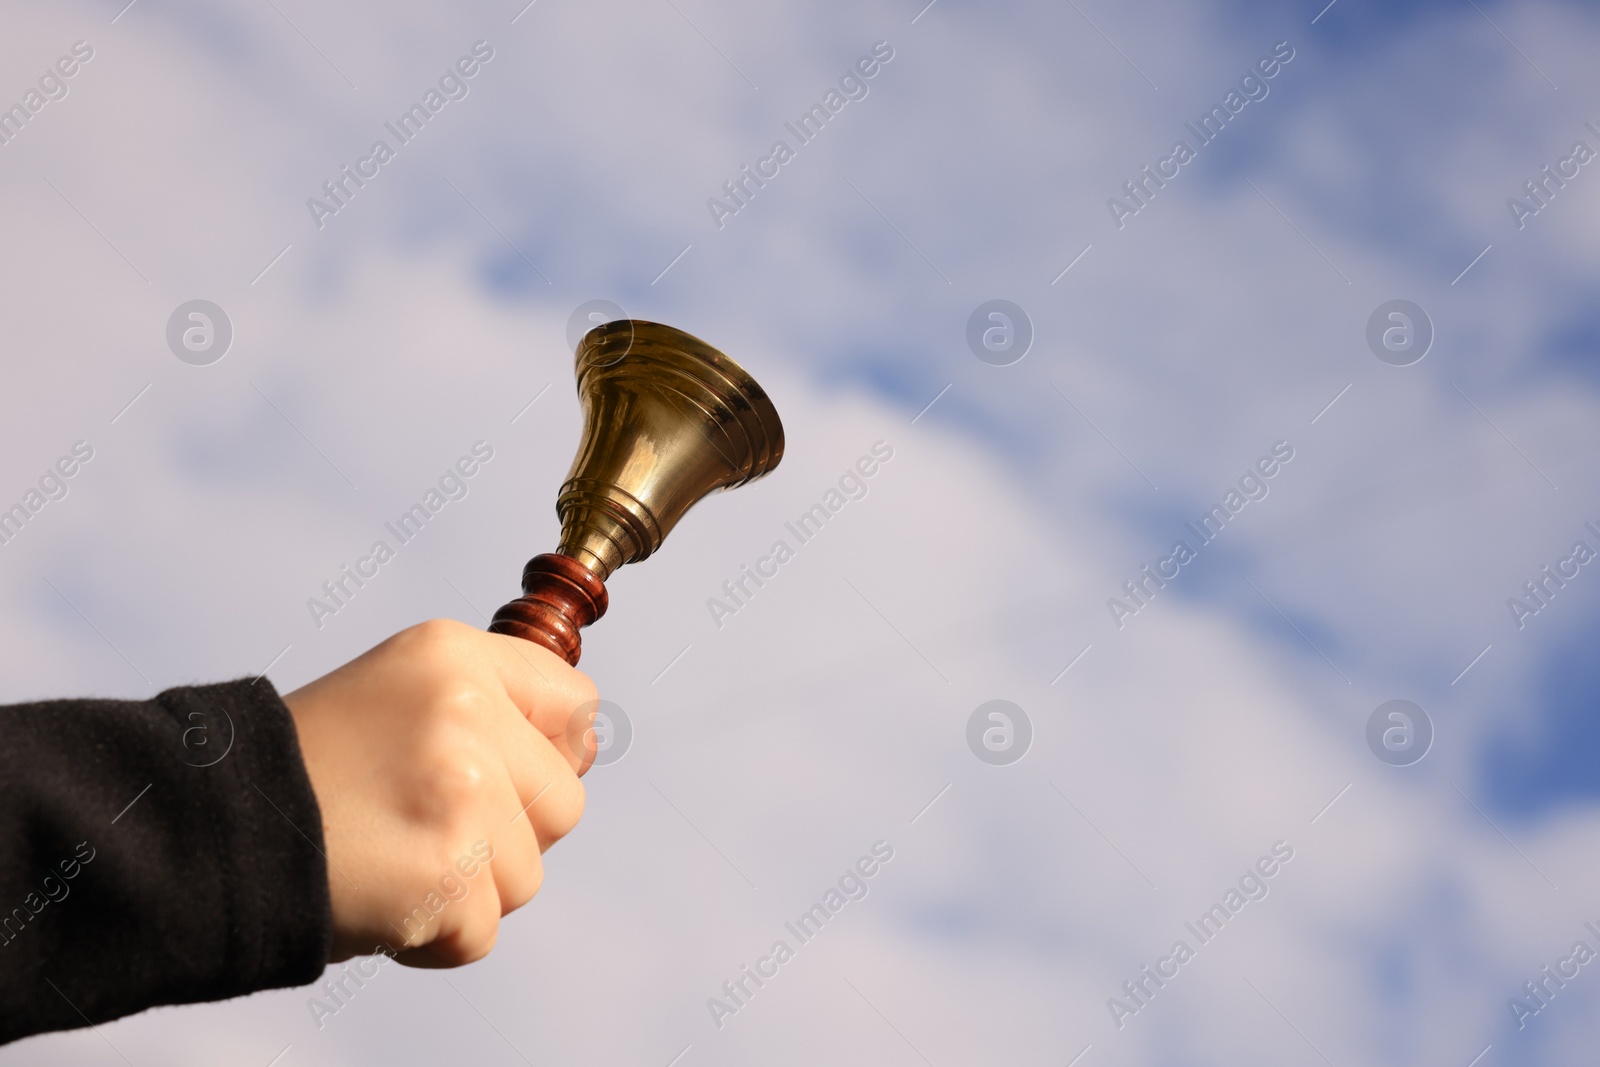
point(442, 767)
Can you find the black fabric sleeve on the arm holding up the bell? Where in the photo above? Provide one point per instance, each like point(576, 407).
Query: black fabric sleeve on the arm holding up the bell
point(154, 853)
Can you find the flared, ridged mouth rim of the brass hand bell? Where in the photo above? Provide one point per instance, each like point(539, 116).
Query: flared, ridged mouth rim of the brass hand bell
point(700, 375)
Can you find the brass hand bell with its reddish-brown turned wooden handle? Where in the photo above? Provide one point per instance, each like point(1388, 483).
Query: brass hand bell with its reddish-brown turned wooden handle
point(668, 420)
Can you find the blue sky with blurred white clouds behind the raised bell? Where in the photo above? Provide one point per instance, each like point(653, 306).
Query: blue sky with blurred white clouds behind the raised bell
point(1158, 751)
